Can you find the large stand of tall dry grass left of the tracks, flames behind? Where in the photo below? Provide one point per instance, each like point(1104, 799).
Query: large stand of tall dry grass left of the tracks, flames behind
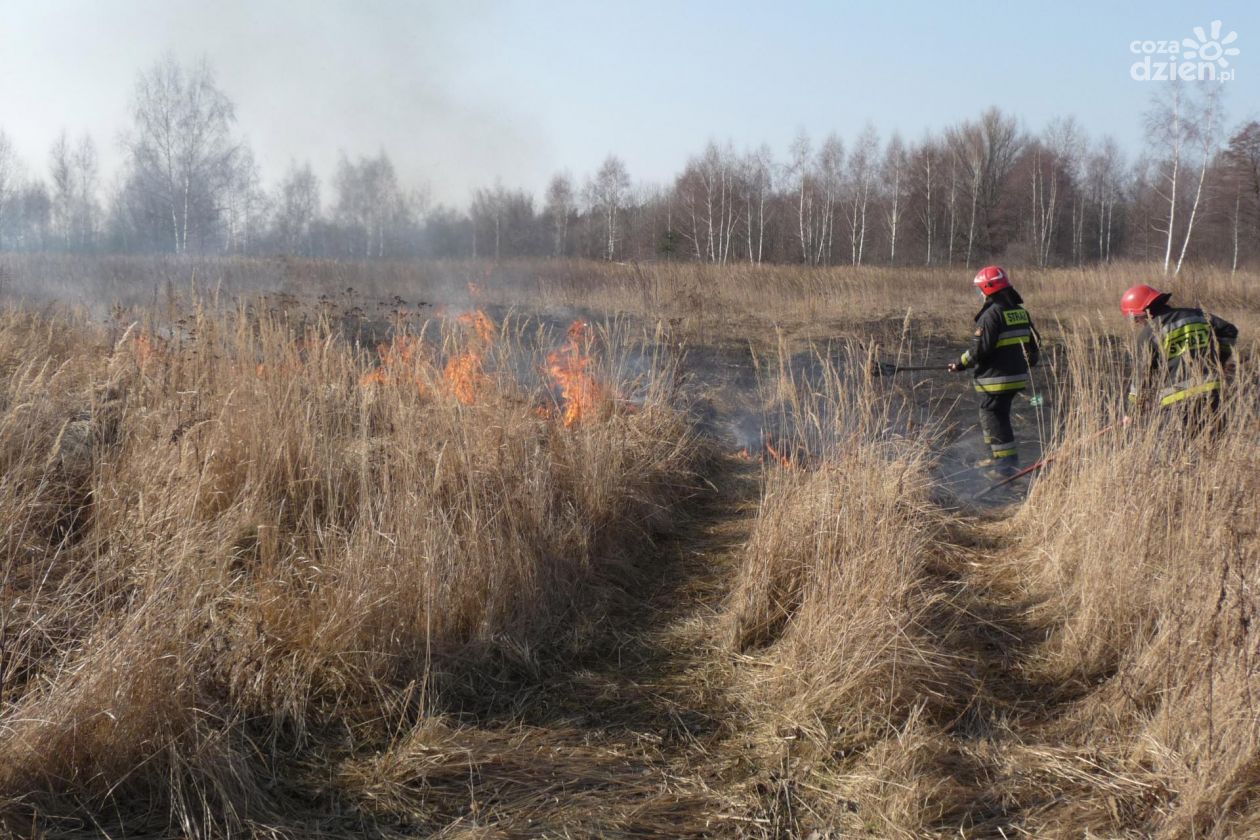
point(207, 572)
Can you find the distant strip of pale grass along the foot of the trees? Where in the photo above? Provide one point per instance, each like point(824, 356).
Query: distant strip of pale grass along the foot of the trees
point(714, 303)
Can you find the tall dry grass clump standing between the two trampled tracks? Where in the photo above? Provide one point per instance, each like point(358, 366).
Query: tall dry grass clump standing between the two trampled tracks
point(831, 598)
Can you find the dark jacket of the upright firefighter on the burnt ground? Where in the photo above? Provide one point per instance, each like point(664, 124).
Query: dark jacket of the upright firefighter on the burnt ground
point(1005, 346)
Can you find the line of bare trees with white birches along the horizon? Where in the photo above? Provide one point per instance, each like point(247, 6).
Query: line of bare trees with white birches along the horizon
point(981, 190)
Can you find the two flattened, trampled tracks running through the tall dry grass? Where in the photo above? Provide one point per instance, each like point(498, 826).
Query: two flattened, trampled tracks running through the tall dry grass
point(643, 736)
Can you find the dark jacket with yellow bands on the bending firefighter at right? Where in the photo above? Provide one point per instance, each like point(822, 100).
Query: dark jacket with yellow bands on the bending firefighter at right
point(1181, 353)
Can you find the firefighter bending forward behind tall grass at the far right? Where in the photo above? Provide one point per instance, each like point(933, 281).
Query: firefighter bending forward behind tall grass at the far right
point(1183, 357)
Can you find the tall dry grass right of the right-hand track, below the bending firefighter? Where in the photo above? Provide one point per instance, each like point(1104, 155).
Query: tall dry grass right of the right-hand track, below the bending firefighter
point(1143, 552)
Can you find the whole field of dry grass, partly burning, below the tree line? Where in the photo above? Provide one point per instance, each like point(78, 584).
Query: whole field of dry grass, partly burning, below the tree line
point(571, 550)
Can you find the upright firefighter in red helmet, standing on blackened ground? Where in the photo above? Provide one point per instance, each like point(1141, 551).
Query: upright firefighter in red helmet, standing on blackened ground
point(1004, 349)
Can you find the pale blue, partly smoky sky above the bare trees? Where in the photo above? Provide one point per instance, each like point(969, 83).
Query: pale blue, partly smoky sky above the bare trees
point(462, 94)
